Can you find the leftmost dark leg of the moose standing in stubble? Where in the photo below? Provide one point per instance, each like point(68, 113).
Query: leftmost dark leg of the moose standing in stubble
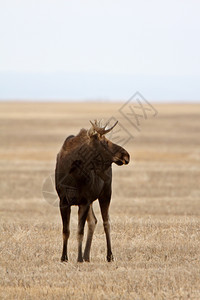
point(65, 213)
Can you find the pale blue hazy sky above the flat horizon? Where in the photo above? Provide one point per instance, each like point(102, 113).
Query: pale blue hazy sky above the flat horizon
point(99, 49)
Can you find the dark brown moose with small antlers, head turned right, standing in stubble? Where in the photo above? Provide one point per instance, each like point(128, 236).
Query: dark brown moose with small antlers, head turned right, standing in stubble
point(83, 174)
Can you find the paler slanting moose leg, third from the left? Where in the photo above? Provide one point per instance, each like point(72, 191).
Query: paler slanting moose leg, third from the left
point(92, 221)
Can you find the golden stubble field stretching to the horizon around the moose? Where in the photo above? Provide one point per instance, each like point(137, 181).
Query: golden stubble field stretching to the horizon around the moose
point(155, 208)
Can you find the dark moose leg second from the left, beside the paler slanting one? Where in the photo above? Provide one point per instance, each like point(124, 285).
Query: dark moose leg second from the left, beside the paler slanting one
point(82, 215)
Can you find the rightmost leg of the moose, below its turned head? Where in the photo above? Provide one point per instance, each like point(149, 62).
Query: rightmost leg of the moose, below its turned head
point(104, 205)
